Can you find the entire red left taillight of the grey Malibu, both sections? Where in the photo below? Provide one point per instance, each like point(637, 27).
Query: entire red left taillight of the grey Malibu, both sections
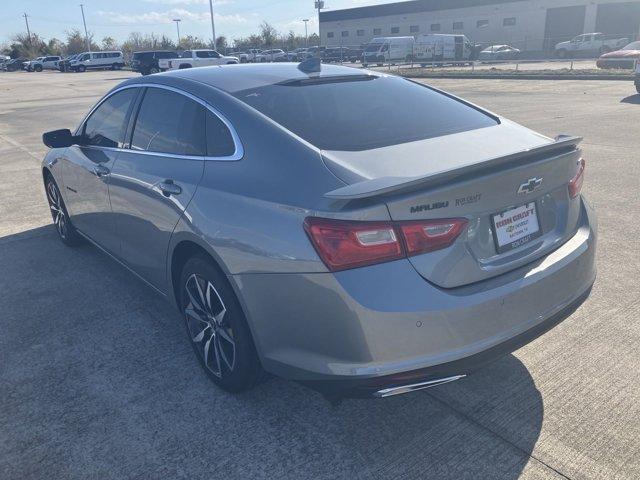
point(345, 244)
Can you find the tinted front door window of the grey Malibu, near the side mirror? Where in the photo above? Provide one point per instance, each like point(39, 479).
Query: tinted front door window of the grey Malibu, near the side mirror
point(107, 124)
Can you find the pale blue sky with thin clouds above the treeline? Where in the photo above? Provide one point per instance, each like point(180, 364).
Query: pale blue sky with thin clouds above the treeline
point(117, 18)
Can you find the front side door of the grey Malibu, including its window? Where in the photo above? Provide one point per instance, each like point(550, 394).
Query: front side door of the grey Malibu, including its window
point(87, 169)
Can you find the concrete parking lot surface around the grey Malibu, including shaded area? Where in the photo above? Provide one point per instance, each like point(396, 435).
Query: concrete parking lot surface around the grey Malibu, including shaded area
point(98, 379)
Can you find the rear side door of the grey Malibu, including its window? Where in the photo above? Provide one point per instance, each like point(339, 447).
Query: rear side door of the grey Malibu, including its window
point(154, 180)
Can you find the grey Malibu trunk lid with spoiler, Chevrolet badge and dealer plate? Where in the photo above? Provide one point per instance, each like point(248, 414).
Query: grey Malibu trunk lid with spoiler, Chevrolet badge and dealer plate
point(491, 176)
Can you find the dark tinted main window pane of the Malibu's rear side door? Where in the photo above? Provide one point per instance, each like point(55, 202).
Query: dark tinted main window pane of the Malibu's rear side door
point(169, 123)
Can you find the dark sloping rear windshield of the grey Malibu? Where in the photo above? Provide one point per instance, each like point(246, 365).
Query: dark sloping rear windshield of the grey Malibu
point(363, 112)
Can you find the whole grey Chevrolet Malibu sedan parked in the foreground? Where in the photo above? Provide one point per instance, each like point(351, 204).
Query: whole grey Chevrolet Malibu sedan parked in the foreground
point(355, 231)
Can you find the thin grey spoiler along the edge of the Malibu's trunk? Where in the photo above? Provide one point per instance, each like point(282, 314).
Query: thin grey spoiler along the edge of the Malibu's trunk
point(391, 185)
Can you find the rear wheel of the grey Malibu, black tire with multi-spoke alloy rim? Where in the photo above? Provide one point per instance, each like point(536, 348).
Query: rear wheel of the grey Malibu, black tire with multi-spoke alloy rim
point(216, 326)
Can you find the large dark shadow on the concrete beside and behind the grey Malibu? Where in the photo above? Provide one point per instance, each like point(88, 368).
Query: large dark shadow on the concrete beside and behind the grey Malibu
point(99, 380)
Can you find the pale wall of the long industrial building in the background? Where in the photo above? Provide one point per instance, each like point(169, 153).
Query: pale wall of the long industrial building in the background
point(527, 34)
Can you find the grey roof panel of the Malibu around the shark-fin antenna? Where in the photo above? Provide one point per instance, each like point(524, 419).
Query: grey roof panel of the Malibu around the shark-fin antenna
point(235, 78)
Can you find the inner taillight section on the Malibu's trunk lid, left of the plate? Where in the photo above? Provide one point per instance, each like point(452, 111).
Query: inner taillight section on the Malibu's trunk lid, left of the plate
point(422, 237)
